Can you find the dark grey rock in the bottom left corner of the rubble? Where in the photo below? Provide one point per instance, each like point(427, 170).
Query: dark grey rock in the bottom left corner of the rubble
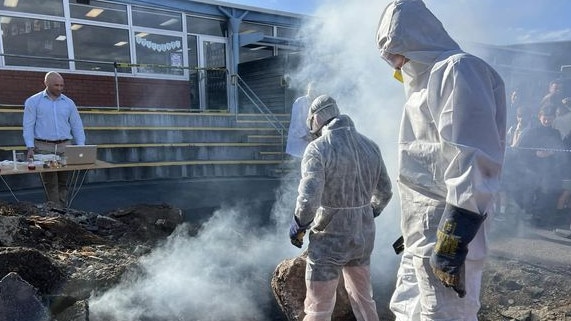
point(20, 301)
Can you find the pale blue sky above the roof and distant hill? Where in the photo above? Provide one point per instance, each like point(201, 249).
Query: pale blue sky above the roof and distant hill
point(499, 22)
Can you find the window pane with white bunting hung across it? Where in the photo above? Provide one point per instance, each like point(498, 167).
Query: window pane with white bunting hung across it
point(162, 51)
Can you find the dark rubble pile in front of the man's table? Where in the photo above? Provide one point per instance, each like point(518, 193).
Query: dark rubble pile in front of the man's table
point(65, 255)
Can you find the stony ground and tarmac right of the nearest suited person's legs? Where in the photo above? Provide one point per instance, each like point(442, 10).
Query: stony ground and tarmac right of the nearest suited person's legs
point(527, 275)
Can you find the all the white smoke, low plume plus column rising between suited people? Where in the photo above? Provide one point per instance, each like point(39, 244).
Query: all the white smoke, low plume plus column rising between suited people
point(224, 272)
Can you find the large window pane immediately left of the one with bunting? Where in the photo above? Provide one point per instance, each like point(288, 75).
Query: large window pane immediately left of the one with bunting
point(101, 46)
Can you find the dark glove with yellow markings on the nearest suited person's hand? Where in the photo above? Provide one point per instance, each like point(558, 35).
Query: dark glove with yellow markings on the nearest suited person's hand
point(456, 230)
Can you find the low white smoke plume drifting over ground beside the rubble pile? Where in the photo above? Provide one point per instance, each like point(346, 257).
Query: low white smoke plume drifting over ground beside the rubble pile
point(223, 273)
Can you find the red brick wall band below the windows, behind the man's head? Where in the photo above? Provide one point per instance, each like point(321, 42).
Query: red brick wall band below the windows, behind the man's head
point(98, 91)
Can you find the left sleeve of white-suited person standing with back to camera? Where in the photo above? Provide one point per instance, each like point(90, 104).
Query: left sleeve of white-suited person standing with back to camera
point(311, 185)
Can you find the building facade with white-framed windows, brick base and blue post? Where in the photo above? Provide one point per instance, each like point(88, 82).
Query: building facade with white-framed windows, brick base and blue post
point(172, 54)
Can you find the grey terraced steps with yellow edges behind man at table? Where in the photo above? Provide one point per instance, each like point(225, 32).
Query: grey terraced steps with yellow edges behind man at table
point(152, 145)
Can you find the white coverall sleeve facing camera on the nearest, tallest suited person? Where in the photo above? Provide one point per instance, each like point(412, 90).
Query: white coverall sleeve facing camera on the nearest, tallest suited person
point(471, 121)
